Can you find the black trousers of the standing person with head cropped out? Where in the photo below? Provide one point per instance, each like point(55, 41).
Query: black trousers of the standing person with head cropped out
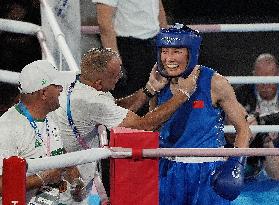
point(138, 58)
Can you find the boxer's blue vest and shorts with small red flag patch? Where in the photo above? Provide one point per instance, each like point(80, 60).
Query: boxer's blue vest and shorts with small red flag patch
point(195, 124)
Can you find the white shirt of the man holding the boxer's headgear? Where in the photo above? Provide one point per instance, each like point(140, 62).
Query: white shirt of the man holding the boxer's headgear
point(89, 108)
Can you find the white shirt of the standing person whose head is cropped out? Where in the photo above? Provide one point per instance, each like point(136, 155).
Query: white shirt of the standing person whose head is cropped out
point(135, 18)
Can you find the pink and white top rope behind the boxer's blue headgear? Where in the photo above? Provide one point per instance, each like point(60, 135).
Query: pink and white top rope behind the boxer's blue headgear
point(211, 28)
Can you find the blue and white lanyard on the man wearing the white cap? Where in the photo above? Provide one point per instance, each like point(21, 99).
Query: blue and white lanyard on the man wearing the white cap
point(33, 124)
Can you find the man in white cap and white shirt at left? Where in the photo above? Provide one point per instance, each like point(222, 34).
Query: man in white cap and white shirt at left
point(28, 129)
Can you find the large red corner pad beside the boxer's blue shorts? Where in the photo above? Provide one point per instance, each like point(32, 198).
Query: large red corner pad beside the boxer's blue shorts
point(134, 180)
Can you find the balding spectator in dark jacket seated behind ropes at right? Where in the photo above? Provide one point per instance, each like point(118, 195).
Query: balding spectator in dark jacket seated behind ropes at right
point(261, 100)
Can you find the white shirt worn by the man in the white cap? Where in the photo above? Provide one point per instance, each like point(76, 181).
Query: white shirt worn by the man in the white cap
point(18, 138)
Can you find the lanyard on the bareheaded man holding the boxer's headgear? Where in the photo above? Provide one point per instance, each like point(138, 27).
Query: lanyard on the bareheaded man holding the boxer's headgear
point(79, 138)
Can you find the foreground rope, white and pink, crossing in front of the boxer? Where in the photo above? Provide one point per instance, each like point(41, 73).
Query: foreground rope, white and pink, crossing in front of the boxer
point(95, 154)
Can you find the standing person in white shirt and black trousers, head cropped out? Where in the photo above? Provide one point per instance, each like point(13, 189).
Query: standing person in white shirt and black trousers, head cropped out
point(129, 27)
